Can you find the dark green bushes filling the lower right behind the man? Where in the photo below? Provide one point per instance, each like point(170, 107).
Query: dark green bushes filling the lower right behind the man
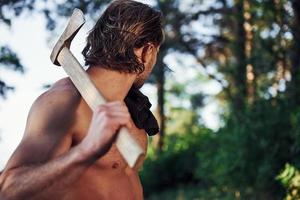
point(239, 161)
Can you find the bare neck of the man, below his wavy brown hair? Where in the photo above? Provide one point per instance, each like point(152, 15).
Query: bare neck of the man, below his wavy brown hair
point(113, 85)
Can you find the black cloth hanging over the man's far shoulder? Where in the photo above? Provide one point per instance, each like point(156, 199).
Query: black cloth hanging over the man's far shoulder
point(139, 107)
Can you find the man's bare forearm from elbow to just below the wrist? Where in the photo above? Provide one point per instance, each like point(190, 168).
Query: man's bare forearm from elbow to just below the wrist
point(39, 181)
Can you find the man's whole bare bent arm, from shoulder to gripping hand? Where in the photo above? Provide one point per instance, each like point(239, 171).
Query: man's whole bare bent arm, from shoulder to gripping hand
point(33, 172)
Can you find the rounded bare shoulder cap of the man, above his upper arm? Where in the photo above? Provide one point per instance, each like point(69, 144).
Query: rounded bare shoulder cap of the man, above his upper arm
point(57, 106)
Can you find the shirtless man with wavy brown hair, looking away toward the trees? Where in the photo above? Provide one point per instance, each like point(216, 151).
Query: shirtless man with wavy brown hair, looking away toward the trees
point(68, 151)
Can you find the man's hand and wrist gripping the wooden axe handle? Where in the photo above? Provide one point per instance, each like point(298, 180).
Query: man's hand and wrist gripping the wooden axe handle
point(107, 119)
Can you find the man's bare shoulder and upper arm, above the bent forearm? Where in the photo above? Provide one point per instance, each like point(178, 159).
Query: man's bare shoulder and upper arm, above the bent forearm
point(48, 131)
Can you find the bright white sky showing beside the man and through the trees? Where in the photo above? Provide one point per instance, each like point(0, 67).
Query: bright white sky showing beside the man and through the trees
point(29, 39)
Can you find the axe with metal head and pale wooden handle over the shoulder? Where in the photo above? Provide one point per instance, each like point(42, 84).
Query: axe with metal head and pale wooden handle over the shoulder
point(62, 56)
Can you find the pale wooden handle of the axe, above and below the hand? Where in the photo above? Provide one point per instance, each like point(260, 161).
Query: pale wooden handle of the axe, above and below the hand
point(126, 144)
